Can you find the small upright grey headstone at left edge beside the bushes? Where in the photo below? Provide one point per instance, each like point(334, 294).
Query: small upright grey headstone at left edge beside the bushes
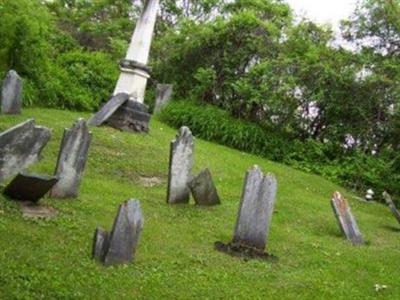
point(11, 94)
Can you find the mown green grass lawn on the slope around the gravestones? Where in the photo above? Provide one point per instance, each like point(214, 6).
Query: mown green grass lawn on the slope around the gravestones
point(175, 258)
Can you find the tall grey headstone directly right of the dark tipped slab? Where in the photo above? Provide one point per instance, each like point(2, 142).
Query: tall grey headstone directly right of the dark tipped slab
point(71, 160)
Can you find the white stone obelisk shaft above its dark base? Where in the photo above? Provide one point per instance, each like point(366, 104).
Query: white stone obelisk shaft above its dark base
point(134, 70)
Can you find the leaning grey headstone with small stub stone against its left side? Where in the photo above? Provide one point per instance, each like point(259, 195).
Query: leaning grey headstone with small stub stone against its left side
point(119, 246)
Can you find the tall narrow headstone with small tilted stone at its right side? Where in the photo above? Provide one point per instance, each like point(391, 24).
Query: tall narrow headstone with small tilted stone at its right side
point(180, 166)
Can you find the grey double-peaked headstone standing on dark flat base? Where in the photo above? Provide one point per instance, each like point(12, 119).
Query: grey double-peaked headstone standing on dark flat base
point(254, 217)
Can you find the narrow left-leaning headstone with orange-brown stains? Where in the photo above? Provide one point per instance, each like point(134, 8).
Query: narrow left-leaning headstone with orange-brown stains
point(345, 218)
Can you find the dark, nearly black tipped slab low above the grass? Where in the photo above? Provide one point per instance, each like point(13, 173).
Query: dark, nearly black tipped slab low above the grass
point(29, 187)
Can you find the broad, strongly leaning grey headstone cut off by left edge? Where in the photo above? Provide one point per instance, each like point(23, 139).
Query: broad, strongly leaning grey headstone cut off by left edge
point(20, 146)
